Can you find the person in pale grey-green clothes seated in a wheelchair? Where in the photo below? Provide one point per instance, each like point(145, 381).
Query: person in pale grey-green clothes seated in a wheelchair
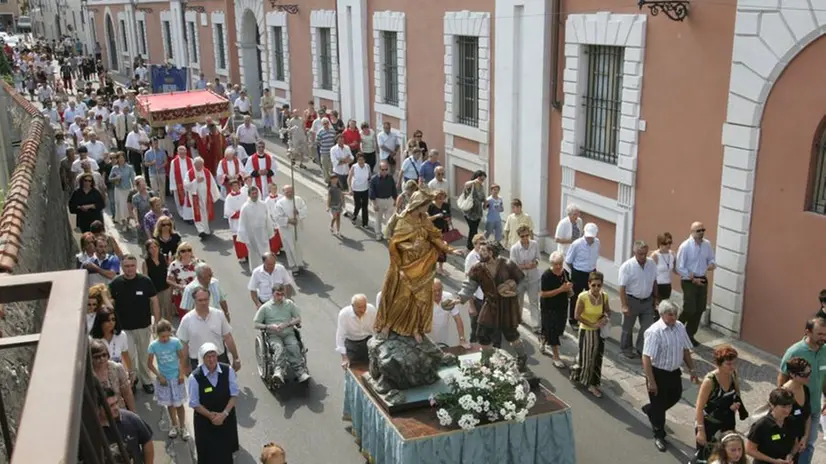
point(279, 317)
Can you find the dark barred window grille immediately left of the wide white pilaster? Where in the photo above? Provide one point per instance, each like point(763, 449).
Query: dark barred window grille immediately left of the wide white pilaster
point(467, 81)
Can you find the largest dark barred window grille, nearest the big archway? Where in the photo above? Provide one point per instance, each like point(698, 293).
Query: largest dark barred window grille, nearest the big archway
point(602, 103)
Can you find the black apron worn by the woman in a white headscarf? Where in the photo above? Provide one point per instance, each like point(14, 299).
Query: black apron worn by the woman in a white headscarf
point(215, 444)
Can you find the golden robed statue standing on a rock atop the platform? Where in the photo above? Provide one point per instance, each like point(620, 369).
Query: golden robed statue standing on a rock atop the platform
point(415, 244)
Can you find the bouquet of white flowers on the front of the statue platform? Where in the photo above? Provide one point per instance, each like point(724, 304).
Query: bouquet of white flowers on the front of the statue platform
point(487, 391)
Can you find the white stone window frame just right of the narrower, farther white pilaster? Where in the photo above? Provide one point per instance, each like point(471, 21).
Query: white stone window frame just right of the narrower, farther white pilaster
point(390, 21)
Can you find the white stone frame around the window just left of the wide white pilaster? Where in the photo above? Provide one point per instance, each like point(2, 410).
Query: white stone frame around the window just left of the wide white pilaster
point(469, 24)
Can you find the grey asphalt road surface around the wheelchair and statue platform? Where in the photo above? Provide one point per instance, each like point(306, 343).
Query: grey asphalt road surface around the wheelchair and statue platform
point(307, 421)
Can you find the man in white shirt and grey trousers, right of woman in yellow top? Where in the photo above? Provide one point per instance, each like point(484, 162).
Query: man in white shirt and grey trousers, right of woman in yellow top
point(638, 296)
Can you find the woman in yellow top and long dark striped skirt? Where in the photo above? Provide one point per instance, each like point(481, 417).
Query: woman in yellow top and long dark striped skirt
point(593, 313)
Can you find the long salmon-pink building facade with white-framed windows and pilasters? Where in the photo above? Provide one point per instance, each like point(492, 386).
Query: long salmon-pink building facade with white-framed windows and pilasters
point(646, 123)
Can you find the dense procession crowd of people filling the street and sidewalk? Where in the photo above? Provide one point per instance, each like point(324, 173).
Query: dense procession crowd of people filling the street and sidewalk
point(165, 325)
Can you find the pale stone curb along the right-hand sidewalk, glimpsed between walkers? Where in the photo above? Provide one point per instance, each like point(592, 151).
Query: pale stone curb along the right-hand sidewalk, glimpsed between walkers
point(318, 187)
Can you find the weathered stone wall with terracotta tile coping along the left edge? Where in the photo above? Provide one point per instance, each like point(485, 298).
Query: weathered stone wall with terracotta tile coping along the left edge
point(35, 236)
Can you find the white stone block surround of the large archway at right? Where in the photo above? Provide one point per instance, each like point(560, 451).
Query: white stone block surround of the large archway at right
point(767, 37)
